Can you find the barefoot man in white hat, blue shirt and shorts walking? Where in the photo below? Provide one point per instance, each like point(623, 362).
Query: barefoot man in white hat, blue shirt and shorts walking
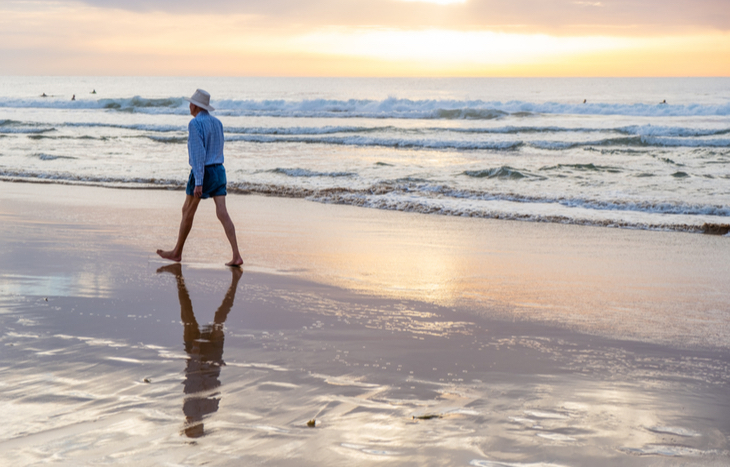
point(207, 177)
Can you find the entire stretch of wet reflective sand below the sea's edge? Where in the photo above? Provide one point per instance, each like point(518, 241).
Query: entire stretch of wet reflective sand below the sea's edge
point(410, 339)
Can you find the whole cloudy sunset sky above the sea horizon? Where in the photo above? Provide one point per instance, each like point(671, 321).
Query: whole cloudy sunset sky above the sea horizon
point(481, 38)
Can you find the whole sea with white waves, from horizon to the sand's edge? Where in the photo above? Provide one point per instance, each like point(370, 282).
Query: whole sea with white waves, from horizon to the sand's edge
point(639, 153)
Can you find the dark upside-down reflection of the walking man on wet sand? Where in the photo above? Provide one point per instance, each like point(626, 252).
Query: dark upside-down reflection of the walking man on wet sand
point(205, 353)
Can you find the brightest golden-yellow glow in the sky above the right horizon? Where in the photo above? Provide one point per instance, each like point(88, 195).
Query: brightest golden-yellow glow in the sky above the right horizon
point(482, 53)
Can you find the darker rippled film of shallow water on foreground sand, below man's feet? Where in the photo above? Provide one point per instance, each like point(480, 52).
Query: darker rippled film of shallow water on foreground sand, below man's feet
point(106, 379)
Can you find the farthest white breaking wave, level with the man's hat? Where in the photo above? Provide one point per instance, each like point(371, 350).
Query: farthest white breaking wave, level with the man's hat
point(436, 109)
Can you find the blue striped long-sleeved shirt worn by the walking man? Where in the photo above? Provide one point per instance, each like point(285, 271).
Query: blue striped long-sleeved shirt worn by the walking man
point(205, 143)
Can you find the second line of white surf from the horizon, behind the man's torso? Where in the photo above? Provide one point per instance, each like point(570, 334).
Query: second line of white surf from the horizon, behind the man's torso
point(643, 136)
